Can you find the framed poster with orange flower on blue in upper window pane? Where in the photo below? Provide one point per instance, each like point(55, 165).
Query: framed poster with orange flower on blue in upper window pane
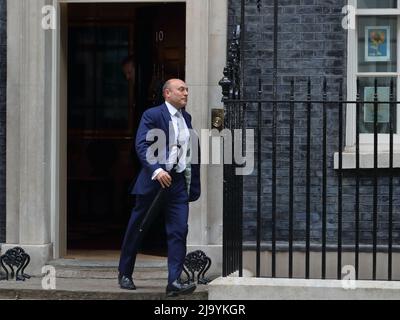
point(377, 43)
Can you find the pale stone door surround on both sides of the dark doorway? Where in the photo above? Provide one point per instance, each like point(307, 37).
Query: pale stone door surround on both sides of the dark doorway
point(36, 124)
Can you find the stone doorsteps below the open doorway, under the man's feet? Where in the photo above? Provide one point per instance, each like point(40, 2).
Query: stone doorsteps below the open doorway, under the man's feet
point(80, 279)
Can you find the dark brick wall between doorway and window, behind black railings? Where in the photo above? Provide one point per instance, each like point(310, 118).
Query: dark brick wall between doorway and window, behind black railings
point(312, 43)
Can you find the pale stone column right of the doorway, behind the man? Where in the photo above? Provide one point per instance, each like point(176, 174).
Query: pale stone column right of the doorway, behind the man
point(205, 60)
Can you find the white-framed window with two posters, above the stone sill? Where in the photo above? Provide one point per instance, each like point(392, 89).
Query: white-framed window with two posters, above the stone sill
point(373, 51)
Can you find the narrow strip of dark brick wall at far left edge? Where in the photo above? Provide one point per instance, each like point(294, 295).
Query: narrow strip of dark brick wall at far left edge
point(3, 35)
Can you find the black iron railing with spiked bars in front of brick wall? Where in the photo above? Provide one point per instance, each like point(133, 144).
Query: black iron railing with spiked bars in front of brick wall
point(333, 111)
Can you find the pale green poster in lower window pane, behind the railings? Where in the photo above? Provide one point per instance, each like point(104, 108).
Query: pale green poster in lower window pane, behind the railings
point(383, 108)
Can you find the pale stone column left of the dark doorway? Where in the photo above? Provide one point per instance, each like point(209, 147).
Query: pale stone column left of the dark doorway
point(28, 137)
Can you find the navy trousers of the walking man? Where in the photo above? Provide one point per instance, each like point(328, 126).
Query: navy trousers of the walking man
point(176, 223)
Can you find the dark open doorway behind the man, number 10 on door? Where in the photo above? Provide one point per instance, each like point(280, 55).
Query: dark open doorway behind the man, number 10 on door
point(104, 110)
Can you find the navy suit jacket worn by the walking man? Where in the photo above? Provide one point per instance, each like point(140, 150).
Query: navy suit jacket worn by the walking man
point(160, 118)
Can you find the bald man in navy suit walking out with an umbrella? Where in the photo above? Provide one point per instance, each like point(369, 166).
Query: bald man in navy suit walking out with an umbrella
point(158, 158)
